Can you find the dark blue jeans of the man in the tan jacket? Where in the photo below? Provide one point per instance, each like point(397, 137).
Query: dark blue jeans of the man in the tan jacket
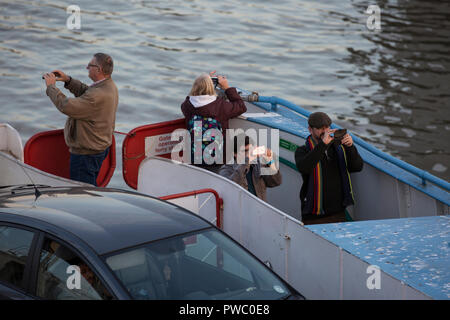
point(85, 168)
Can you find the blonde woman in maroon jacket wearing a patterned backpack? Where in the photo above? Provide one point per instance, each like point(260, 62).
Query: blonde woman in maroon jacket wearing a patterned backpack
point(204, 108)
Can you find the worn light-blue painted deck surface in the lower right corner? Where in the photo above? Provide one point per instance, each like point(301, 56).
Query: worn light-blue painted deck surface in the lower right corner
point(413, 250)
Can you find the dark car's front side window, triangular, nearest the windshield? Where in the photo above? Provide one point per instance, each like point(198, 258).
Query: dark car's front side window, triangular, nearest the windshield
point(63, 275)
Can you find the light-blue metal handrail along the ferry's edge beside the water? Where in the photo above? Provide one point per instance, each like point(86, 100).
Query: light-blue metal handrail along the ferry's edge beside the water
point(424, 175)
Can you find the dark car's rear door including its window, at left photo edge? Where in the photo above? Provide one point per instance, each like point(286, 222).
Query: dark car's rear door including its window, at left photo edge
point(17, 245)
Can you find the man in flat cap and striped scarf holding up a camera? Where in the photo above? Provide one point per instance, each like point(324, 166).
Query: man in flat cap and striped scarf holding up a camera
point(325, 162)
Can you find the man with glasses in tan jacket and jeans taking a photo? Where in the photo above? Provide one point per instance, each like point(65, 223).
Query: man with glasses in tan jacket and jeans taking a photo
point(91, 116)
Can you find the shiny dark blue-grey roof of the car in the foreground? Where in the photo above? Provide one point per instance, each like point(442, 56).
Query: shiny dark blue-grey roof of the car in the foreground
point(106, 219)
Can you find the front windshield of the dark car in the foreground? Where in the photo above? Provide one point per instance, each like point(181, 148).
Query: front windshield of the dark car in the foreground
point(204, 265)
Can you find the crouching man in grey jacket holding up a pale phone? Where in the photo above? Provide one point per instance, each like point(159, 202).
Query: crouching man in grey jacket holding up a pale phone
point(248, 174)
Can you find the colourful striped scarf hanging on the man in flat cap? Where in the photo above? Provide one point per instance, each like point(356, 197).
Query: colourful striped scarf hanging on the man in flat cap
point(314, 195)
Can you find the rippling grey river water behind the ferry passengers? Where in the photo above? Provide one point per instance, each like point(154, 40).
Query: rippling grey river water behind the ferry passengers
point(390, 87)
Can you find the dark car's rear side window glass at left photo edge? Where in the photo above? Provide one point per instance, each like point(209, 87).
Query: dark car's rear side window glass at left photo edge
point(15, 246)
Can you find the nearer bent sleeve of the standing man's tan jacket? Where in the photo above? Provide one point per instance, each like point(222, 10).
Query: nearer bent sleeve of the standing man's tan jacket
point(80, 108)
